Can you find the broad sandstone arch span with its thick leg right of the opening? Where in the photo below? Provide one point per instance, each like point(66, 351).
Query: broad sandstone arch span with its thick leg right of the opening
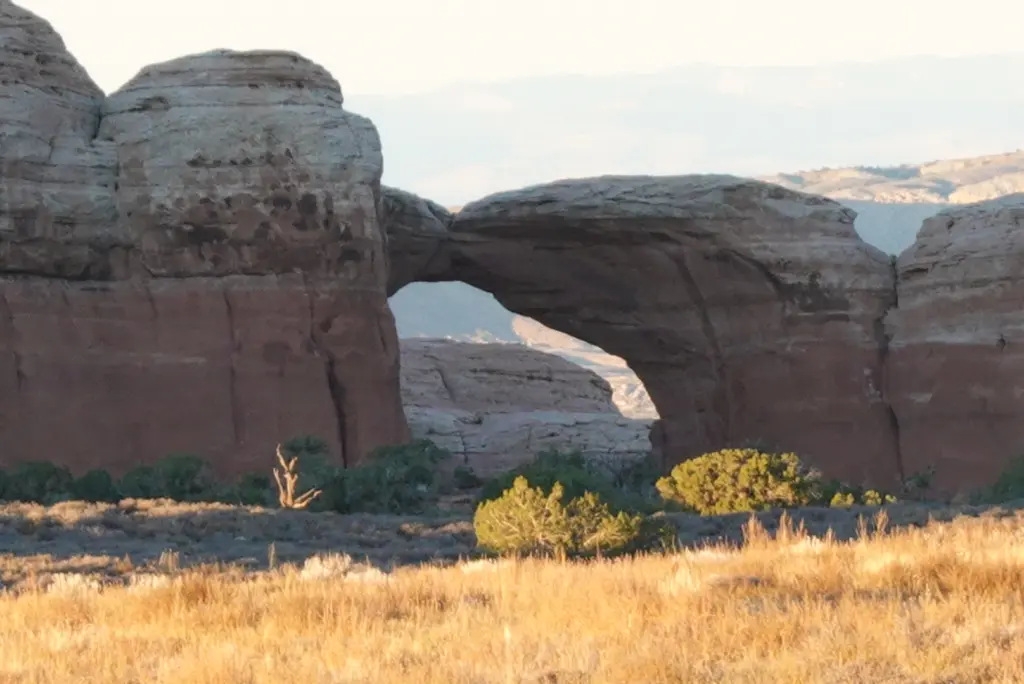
point(748, 311)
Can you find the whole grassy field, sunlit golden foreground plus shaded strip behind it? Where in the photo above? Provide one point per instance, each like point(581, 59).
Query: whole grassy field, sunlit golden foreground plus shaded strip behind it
point(120, 594)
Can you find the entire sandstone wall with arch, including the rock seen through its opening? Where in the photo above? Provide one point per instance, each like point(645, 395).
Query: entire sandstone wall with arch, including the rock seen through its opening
point(198, 264)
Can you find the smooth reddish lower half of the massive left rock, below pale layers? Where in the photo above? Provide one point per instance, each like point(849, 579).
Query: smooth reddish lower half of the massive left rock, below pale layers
point(118, 374)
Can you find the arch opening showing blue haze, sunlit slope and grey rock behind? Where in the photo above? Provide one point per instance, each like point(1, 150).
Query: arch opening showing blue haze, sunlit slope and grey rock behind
point(496, 389)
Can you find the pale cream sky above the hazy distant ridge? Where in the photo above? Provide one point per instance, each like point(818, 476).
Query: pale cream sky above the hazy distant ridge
point(401, 47)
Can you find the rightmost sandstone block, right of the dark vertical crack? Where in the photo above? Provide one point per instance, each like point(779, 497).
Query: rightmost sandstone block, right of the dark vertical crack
point(957, 350)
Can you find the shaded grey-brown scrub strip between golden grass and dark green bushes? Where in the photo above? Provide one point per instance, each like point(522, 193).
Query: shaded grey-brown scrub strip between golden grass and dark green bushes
point(114, 539)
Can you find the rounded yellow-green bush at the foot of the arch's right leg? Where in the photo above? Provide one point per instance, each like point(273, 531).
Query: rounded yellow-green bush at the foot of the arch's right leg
point(736, 481)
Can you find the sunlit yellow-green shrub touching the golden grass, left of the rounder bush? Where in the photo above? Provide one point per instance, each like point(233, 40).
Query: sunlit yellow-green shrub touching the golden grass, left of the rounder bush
point(527, 521)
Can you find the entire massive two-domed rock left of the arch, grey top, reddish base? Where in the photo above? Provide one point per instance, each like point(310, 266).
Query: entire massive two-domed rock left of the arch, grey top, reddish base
point(195, 264)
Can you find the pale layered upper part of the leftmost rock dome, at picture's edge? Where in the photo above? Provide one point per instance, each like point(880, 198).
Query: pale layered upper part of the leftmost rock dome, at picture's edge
point(57, 201)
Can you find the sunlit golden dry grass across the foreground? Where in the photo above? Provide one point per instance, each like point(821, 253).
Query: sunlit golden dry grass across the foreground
point(943, 604)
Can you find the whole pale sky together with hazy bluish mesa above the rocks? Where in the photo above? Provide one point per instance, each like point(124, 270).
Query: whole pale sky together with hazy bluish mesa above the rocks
point(922, 87)
